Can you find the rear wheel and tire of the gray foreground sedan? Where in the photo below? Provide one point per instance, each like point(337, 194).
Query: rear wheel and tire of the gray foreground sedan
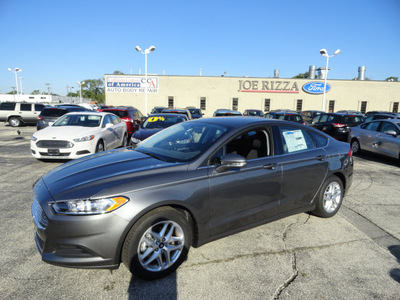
point(330, 198)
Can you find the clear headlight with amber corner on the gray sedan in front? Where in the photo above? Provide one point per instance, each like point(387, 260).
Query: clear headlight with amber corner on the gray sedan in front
point(89, 206)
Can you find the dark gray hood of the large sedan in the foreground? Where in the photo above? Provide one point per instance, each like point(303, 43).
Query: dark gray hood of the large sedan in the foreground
point(105, 173)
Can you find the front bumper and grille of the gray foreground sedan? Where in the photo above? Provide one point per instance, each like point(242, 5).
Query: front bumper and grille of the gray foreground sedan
point(91, 241)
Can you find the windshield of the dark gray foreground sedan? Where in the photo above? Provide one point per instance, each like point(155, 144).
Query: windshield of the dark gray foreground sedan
point(182, 142)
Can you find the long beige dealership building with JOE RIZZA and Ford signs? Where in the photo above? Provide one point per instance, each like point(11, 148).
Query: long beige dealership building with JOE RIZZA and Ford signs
point(241, 93)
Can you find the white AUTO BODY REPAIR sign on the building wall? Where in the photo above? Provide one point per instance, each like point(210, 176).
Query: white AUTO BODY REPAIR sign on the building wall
point(125, 84)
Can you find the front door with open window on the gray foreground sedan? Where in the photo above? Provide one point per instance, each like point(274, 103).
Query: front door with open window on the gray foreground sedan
point(248, 195)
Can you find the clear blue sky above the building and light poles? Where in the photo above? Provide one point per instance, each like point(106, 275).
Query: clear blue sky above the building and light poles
point(60, 42)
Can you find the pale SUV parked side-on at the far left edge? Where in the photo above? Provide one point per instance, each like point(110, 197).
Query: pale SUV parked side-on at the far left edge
point(19, 113)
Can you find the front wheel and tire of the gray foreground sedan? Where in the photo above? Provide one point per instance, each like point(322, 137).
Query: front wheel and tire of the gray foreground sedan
point(157, 243)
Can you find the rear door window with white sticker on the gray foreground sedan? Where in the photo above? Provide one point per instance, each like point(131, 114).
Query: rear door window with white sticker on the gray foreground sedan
point(295, 139)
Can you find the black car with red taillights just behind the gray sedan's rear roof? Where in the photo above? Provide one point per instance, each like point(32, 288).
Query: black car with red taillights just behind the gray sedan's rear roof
point(337, 125)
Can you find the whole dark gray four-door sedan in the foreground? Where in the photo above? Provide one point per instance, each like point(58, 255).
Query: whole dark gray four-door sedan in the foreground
point(185, 186)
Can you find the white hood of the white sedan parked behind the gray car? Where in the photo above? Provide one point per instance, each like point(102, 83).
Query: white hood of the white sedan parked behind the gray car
point(64, 132)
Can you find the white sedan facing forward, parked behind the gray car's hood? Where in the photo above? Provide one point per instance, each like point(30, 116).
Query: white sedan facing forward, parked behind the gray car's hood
point(78, 134)
